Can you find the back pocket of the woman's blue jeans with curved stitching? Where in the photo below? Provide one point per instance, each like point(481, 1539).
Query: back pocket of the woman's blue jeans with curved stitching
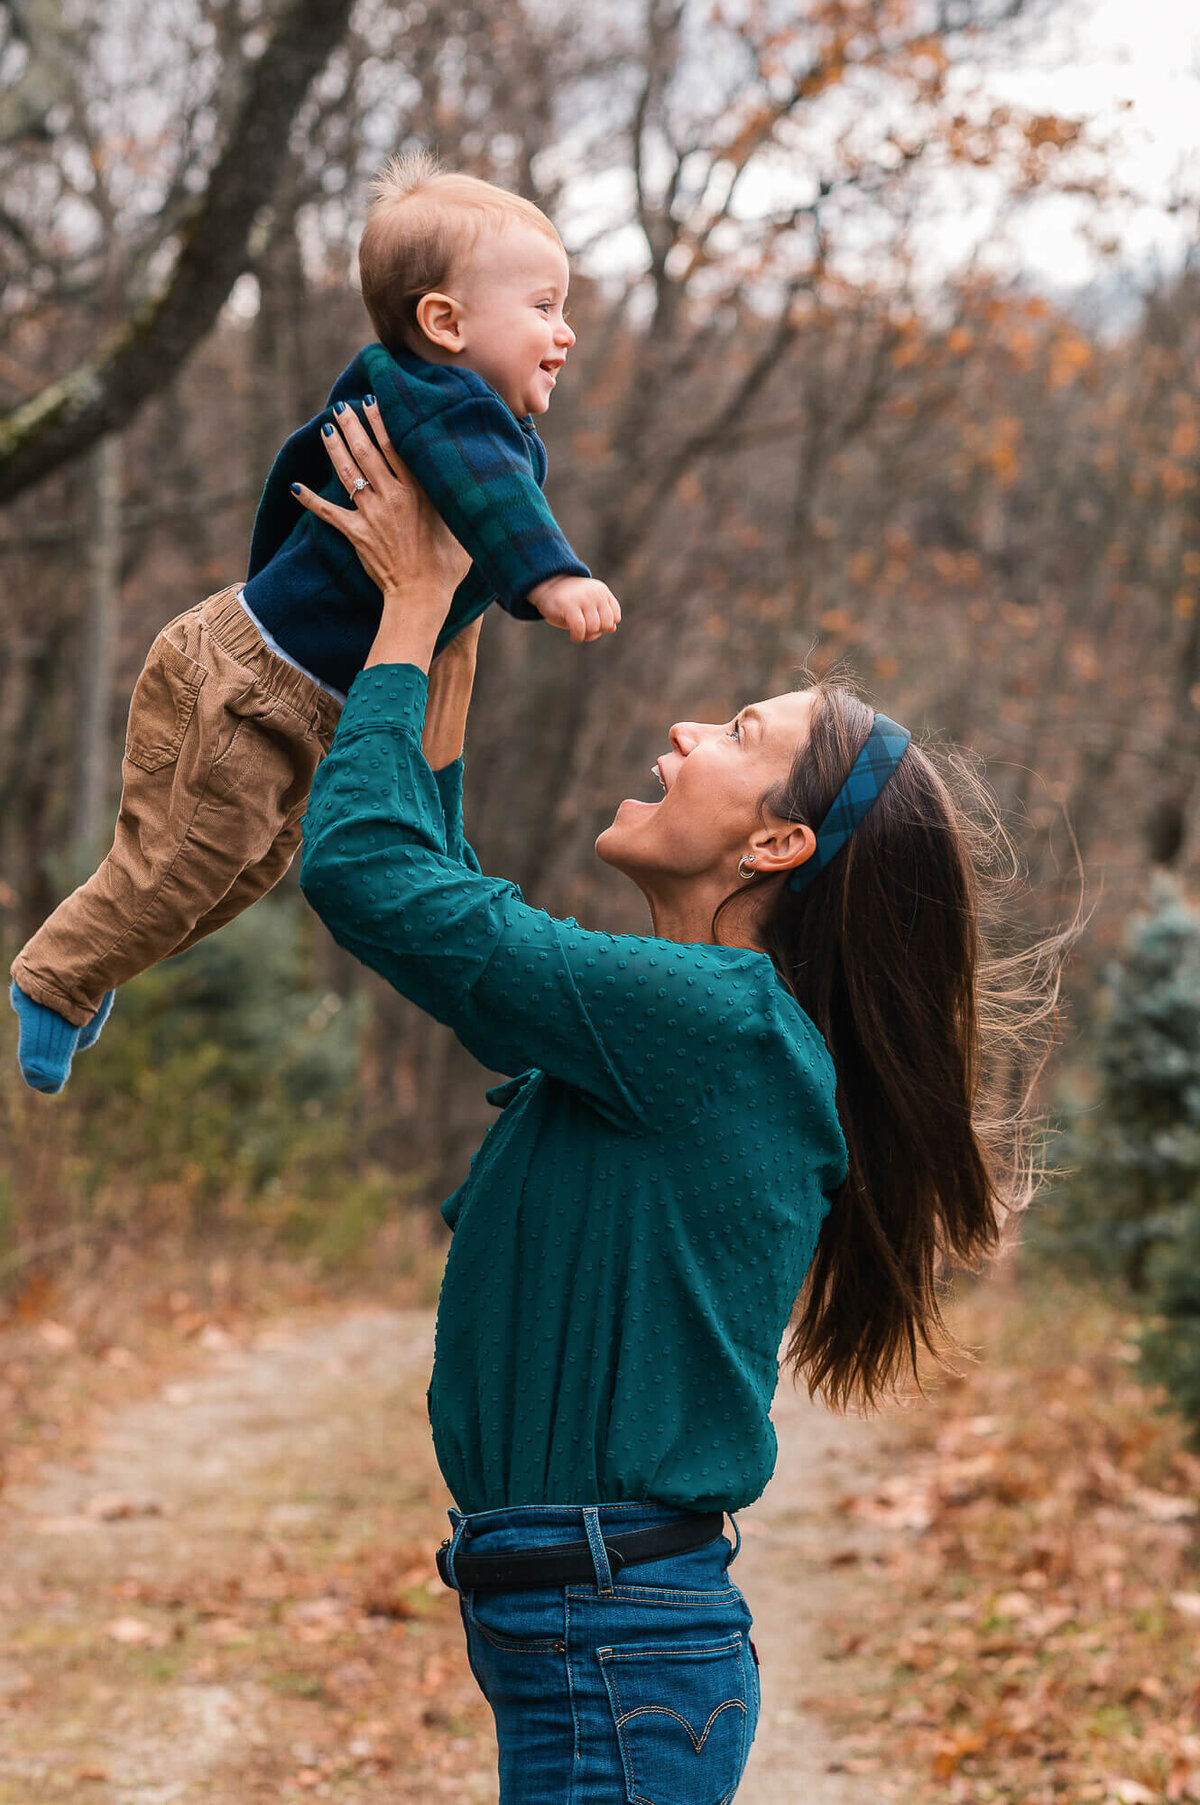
point(681, 1717)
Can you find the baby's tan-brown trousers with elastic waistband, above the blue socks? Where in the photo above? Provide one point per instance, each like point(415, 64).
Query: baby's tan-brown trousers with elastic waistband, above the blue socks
point(221, 750)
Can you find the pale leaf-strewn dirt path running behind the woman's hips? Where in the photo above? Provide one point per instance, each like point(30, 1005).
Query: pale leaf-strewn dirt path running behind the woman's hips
point(207, 1613)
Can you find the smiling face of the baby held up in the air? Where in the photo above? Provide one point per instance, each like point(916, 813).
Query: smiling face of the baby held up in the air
point(513, 292)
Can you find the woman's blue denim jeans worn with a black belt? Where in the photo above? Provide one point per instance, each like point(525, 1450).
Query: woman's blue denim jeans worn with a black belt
point(631, 1692)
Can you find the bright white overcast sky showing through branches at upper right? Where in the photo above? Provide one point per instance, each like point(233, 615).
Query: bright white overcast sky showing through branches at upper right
point(1127, 68)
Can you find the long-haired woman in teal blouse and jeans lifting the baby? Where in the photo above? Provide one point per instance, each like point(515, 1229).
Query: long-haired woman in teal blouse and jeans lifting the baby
point(773, 1097)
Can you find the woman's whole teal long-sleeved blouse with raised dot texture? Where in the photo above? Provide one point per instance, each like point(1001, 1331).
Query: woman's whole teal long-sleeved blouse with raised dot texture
point(638, 1221)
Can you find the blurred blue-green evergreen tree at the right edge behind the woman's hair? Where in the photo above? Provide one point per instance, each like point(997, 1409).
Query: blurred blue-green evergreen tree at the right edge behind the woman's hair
point(1131, 1201)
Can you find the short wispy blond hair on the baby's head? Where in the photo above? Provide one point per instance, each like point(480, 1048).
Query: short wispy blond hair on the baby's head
point(420, 227)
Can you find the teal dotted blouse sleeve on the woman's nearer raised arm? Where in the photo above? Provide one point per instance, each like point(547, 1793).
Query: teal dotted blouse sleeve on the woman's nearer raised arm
point(627, 1021)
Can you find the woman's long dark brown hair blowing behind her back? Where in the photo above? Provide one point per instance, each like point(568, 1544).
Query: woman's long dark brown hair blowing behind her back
point(937, 1037)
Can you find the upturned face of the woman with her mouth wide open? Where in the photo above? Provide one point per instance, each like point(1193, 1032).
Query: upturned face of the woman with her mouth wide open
point(706, 819)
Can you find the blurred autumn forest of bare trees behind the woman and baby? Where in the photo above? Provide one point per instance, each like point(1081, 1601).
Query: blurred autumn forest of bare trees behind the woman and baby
point(782, 440)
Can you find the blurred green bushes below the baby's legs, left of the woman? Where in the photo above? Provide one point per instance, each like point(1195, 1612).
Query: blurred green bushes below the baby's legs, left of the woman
point(221, 1098)
